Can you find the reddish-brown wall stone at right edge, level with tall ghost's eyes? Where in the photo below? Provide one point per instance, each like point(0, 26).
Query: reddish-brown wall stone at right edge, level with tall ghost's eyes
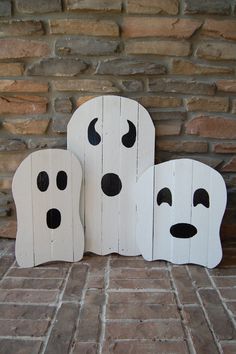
point(212, 127)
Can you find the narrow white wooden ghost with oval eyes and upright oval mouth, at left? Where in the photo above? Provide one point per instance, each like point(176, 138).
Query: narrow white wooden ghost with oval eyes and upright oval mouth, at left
point(46, 190)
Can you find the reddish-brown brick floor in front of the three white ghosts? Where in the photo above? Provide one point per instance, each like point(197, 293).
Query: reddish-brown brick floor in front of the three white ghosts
point(116, 304)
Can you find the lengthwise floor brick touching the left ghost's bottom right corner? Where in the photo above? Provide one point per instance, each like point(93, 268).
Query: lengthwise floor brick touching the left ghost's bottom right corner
point(75, 283)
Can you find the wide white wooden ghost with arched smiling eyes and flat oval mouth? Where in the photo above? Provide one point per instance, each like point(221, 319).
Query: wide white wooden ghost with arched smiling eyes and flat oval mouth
point(180, 208)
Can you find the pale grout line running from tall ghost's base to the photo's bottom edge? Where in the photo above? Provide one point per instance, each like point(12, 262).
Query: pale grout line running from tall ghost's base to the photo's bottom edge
point(103, 312)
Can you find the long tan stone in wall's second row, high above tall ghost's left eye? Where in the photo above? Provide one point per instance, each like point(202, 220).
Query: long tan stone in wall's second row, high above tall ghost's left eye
point(87, 27)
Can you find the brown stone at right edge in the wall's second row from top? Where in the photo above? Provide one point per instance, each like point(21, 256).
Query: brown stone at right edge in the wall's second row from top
point(219, 28)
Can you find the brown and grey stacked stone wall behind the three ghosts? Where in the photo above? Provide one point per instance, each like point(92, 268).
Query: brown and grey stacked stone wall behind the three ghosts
point(176, 57)
